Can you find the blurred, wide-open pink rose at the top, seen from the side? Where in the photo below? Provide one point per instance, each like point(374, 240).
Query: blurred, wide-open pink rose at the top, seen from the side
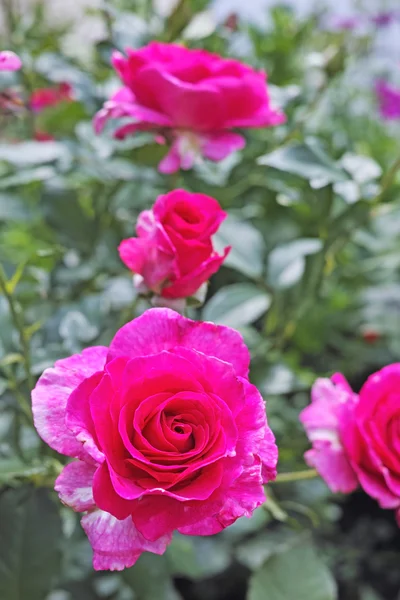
point(191, 99)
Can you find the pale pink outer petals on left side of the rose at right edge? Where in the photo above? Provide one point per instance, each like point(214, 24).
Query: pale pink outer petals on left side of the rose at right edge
point(322, 421)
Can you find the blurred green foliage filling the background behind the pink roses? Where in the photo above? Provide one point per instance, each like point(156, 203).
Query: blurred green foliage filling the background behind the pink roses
point(312, 282)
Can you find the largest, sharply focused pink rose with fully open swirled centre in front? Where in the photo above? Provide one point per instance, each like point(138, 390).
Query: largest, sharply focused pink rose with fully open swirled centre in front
point(167, 432)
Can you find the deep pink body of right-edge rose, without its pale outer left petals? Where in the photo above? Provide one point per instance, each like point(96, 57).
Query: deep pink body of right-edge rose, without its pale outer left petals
point(371, 436)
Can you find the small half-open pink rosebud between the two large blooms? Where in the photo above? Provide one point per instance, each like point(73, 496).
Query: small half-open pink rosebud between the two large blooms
point(173, 253)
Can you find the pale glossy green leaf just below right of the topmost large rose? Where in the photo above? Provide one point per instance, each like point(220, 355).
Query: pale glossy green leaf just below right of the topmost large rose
point(306, 160)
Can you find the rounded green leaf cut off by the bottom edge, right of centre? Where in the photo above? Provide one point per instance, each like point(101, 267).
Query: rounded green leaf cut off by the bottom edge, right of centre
point(296, 574)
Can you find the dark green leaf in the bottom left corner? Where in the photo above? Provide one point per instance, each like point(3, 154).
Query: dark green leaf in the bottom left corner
point(30, 534)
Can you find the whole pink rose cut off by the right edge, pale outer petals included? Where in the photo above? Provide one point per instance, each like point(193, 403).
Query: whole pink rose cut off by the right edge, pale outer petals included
point(356, 437)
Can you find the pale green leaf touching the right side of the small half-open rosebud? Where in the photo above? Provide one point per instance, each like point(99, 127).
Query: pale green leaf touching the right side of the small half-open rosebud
point(248, 248)
